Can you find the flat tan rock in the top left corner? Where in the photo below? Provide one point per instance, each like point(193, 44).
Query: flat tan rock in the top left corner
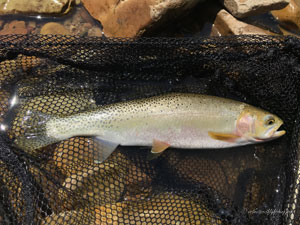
point(35, 6)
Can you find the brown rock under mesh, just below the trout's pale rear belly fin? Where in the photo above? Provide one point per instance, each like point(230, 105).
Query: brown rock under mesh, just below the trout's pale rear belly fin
point(93, 184)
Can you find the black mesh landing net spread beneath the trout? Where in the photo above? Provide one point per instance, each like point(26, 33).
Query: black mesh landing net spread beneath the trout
point(62, 183)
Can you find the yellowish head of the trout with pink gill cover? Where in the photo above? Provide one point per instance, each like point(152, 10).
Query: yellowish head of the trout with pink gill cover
point(257, 125)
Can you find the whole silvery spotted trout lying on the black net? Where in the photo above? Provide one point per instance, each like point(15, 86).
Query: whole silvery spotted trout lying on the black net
point(190, 121)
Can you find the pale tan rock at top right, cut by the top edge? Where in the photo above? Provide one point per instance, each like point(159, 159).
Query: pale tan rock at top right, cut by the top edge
point(244, 8)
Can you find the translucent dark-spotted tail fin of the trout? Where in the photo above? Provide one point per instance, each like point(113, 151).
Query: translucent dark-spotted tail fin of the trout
point(35, 135)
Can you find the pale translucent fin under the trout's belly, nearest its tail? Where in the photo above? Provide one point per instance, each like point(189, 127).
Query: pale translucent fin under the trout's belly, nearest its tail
point(105, 150)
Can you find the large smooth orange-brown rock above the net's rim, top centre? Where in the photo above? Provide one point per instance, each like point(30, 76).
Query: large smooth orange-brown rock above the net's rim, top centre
point(132, 18)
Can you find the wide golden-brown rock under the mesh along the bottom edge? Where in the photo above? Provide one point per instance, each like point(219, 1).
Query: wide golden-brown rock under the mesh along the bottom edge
point(165, 208)
